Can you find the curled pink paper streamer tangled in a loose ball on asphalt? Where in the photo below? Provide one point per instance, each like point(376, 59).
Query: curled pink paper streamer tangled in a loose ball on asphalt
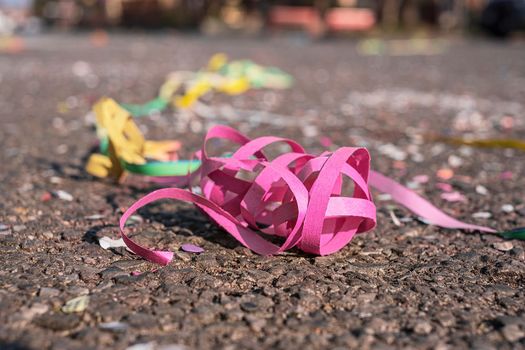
point(296, 196)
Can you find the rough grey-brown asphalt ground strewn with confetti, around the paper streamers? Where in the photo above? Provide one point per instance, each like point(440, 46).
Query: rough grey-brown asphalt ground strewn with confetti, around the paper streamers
point(410, 285)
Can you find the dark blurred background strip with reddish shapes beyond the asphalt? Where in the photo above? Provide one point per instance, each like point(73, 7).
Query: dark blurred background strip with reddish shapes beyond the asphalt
point(317, 18)
